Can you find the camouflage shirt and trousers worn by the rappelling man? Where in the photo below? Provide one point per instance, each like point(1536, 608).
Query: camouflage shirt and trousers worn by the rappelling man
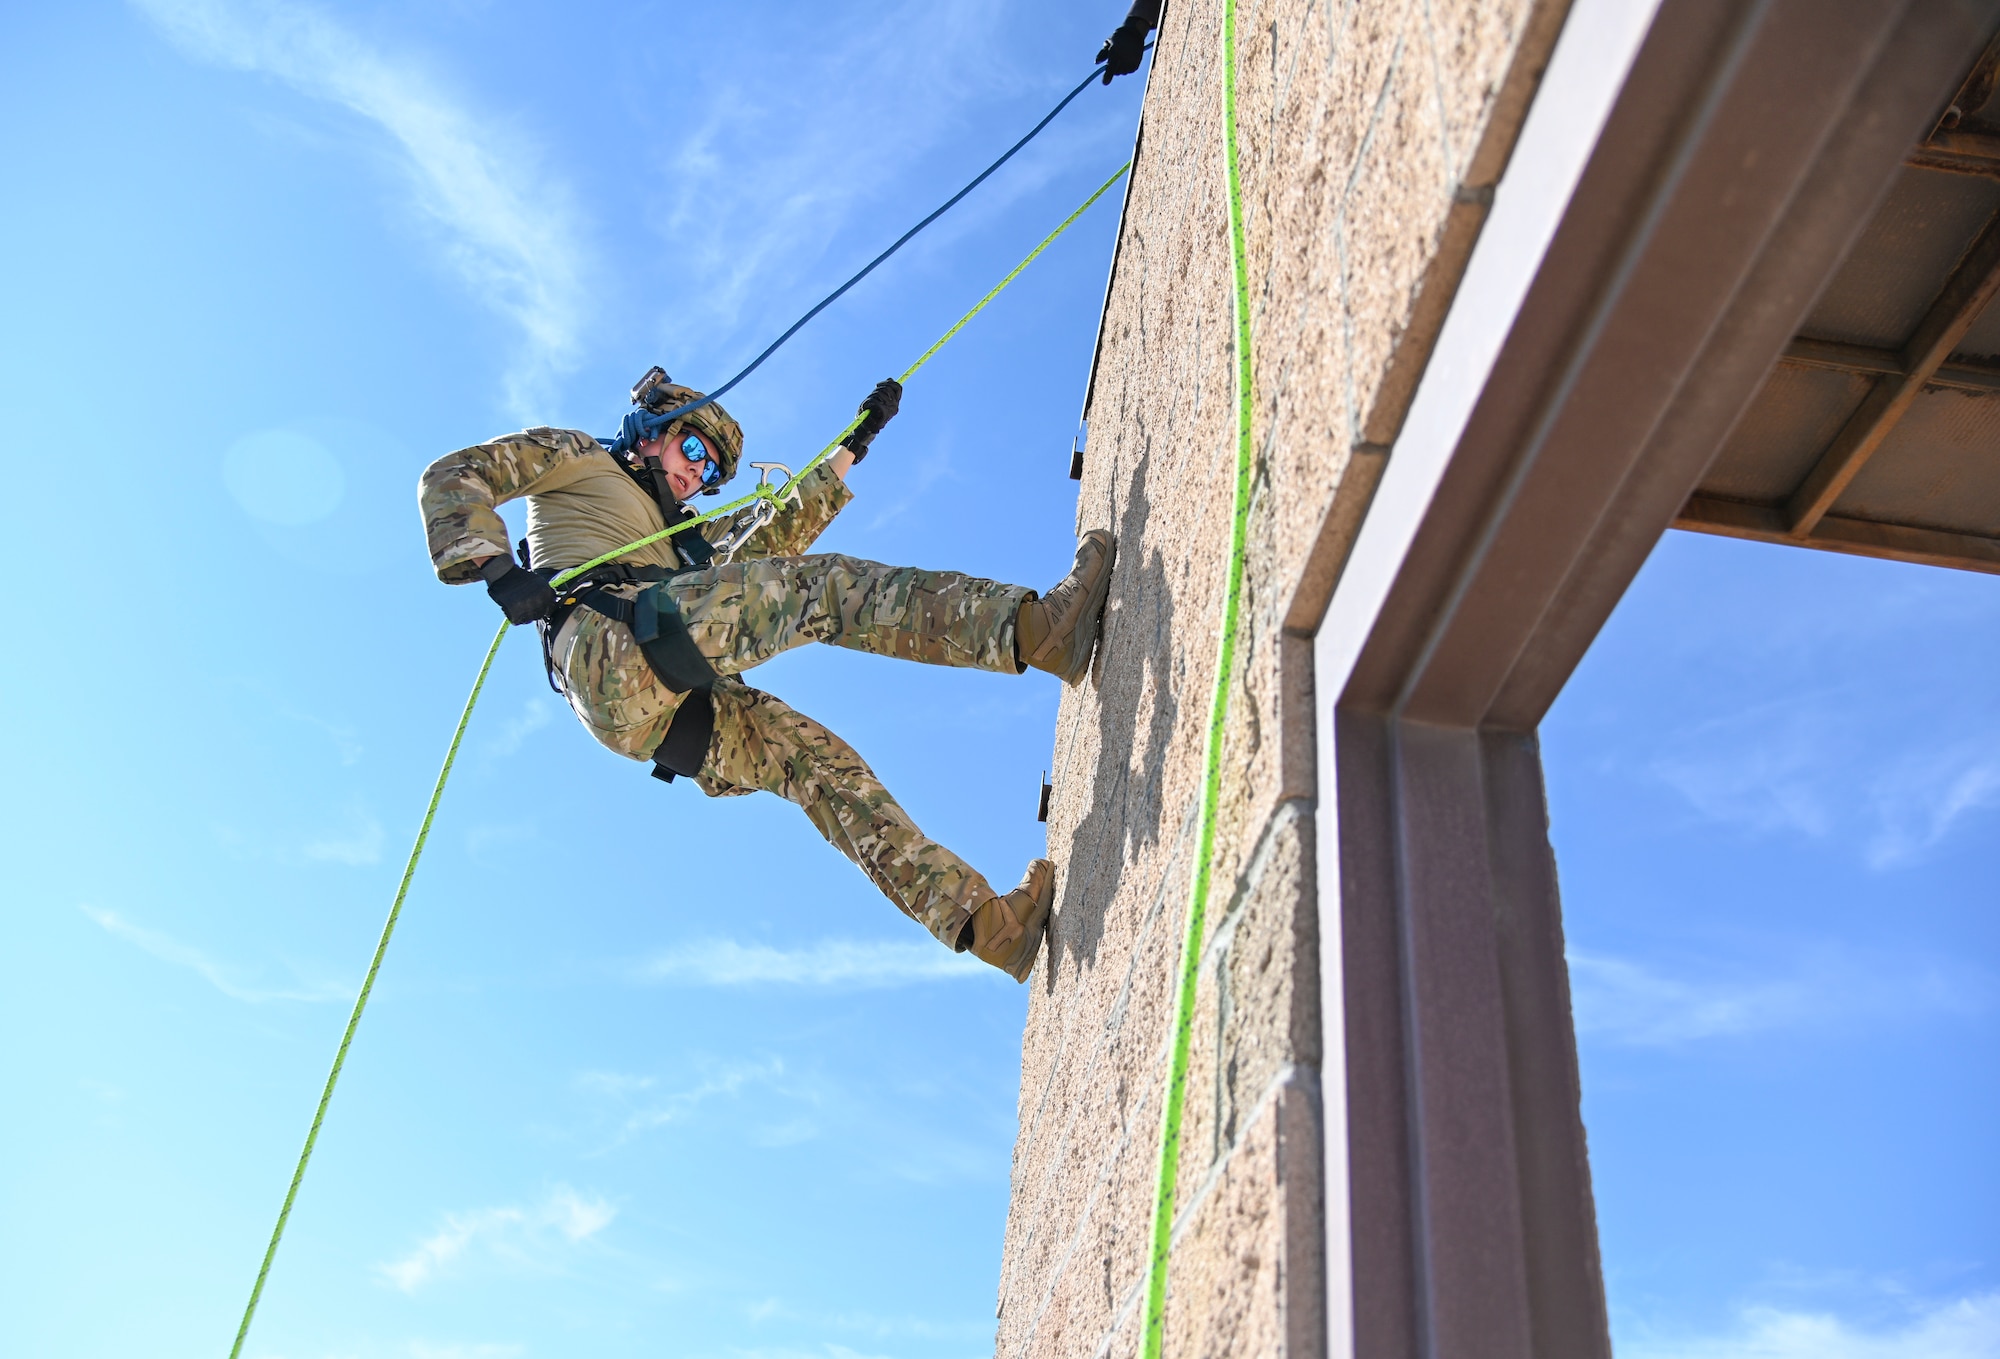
point(741, 615)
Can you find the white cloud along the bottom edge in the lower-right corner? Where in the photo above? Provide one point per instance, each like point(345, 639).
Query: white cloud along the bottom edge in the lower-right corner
point(1959, 1330)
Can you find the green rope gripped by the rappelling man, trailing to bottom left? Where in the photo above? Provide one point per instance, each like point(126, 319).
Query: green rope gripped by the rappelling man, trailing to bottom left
point(465, 718)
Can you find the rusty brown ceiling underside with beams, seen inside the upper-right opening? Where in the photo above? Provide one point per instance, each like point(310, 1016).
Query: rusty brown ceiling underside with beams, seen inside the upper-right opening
point(1879, 429)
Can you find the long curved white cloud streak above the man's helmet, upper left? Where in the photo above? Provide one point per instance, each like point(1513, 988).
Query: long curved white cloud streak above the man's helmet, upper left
point(505, 229)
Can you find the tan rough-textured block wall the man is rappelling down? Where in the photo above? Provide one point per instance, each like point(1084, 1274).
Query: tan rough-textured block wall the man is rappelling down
point(1373, 133)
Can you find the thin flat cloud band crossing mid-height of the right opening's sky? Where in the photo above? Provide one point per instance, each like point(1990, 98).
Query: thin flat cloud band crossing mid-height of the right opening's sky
point(1641, 1006)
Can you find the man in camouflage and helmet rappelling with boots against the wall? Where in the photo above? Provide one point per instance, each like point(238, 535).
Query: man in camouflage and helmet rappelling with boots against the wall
point(649, 651)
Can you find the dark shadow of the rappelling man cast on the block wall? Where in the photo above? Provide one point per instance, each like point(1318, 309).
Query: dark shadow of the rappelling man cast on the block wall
point(1133, 671)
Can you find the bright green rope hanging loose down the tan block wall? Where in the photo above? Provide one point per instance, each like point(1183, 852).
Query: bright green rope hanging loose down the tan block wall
point(1219, 706)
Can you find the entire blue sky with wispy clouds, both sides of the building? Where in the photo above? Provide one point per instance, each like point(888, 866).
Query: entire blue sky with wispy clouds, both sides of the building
point(709, 1094)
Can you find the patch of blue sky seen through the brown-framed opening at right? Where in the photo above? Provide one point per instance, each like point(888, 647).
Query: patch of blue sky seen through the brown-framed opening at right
point(1775, 794)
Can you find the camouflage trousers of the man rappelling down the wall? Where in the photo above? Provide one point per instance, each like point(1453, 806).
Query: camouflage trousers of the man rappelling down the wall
point(743, 615)
